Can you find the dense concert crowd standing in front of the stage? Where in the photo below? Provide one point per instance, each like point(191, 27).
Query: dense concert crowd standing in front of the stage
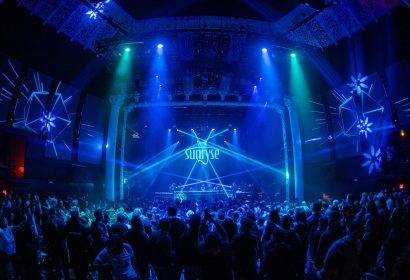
point(51, 238)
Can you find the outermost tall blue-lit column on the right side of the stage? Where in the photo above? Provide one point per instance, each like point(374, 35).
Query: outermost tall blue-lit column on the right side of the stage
point(297, 149)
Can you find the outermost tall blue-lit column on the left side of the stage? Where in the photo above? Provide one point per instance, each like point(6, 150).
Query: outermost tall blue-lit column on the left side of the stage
point(116, 102)
